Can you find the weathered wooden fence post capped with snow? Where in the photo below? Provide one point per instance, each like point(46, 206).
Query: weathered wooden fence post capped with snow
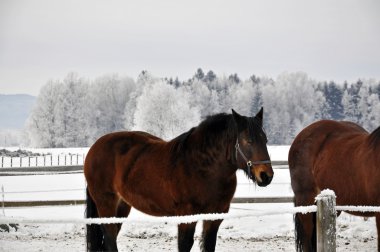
point(326, 221)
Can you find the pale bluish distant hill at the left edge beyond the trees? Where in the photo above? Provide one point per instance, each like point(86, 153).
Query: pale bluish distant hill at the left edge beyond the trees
point(14, 110)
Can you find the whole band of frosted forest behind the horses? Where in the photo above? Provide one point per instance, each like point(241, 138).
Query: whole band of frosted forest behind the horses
point(75, 111)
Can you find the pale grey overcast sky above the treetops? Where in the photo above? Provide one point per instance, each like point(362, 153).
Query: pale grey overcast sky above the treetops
point(46, 39)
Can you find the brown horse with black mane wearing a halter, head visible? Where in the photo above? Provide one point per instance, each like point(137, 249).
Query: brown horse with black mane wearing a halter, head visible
point(195, 173)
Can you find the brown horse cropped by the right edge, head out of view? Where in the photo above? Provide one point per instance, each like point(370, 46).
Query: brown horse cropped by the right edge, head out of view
point(340, 156)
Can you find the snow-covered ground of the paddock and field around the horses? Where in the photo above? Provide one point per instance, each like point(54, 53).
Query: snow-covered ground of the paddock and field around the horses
point(259, 233)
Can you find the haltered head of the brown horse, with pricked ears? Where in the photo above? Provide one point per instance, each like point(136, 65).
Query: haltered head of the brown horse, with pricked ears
point(251, 153)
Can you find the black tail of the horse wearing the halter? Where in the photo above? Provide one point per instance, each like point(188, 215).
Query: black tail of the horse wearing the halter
point(94, 233)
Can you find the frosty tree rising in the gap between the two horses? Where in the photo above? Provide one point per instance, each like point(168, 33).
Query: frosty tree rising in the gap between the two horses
point(291, 103)
